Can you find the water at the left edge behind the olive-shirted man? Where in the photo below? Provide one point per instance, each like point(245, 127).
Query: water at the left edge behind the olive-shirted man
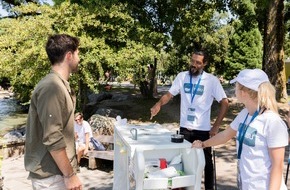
point(11, 115)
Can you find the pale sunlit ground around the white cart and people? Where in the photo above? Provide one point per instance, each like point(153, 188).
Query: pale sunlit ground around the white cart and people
point(15, 176)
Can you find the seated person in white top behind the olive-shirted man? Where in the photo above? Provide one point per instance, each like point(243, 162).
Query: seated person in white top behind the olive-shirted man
point(83, 134)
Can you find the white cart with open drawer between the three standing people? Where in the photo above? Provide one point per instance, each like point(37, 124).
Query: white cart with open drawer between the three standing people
point(153, 142)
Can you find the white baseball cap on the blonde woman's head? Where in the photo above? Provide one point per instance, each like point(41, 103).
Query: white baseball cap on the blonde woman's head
point(251, 78)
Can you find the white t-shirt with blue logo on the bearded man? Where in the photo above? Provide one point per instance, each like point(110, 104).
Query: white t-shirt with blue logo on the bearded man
point(209, 89)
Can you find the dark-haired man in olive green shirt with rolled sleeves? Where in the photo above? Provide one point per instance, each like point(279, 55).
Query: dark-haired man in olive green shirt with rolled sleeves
point(50, 155)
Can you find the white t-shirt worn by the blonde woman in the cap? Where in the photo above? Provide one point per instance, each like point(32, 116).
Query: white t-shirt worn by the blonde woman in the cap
point(266, 131)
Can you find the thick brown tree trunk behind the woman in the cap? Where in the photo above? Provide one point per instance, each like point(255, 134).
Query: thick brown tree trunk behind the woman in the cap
point(273, 57)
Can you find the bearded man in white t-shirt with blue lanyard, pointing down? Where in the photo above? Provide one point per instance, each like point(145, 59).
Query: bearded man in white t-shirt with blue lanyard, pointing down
point(197, 90)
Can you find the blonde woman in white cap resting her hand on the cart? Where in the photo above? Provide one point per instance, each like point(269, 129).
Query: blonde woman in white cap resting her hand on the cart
point(261, 134)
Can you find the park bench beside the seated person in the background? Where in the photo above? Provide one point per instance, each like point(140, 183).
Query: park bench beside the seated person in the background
point(108, 154)
